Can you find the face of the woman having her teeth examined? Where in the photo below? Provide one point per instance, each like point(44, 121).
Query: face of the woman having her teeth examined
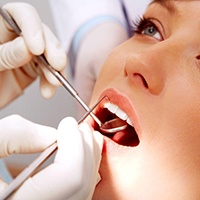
point(154, 78)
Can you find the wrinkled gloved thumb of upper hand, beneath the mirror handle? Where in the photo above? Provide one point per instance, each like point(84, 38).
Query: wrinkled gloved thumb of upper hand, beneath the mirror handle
point(14, 54)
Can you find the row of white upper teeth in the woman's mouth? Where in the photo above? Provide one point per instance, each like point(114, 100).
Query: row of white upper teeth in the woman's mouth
point(117, 111)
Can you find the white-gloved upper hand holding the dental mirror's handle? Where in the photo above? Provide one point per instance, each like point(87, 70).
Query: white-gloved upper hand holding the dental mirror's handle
point(16, 52)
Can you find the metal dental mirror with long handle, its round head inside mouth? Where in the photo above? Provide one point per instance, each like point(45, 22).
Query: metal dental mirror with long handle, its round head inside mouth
point(110, 126)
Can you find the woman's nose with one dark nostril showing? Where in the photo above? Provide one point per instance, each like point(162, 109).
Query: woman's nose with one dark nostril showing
point(148, 68)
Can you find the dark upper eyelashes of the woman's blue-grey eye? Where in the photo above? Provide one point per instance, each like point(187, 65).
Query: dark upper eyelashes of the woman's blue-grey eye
point(139, 25)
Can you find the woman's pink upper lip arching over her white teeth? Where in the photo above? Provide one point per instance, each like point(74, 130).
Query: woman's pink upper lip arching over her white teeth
point(120, 99)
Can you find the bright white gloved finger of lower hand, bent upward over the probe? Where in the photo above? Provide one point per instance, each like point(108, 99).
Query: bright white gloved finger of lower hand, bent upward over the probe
point(65, 176)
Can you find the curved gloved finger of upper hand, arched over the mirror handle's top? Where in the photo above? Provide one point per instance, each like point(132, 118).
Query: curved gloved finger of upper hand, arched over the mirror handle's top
point(32, 29)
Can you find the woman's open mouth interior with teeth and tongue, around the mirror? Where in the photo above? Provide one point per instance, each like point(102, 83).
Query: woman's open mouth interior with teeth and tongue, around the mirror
point(127, 137)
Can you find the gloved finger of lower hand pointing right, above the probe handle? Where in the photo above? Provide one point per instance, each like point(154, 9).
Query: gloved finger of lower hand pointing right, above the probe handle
point(18, 135)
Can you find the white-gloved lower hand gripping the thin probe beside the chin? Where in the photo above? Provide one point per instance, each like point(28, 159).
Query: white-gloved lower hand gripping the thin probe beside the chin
point(74, 173)
